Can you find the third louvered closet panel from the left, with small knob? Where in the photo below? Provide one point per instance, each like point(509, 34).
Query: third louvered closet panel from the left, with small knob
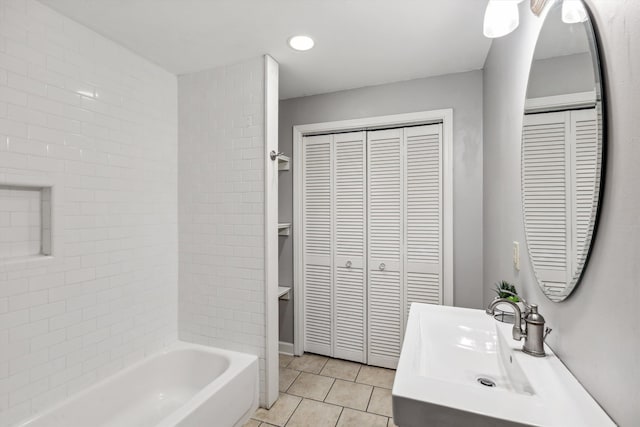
point(385, 217)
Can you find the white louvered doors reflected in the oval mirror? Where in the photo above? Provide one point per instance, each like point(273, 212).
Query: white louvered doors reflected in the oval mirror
point(560, 172)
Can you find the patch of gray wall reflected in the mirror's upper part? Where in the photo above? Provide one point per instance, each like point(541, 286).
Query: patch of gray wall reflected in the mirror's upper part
point(561, 75)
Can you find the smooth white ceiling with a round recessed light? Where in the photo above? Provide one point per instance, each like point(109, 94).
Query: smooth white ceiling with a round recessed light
point(358, 42)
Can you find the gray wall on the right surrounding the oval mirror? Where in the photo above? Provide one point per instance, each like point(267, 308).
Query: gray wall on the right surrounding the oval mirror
point(596, 331)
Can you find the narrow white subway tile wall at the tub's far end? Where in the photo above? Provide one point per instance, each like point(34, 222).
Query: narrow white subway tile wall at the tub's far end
point(221, 208)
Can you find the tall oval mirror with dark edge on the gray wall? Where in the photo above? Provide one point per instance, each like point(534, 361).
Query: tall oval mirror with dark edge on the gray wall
point(562, 148)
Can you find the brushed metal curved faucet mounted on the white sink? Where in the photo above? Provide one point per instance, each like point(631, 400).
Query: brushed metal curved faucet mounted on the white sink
point(534, 332)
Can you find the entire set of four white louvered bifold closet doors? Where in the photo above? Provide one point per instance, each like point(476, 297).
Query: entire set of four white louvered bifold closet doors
point(372, 232)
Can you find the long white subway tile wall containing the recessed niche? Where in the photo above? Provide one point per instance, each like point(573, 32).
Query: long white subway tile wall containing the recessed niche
point(99, 124)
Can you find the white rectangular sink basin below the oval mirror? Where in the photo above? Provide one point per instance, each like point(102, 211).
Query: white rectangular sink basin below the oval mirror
point(461, 367)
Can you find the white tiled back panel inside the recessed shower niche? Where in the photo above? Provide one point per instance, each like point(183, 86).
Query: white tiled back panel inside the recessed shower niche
point(20, 222)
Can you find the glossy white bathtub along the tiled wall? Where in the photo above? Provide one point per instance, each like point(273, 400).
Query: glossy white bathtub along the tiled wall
point(185, 385)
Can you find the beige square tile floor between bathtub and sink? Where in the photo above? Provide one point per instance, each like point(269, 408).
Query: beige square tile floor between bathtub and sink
point(317, 391)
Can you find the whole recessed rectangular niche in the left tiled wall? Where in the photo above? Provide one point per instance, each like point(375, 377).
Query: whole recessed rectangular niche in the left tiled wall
point(25, 221)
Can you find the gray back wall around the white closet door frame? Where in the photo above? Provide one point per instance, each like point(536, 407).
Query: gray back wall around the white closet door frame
point(463, 93)
